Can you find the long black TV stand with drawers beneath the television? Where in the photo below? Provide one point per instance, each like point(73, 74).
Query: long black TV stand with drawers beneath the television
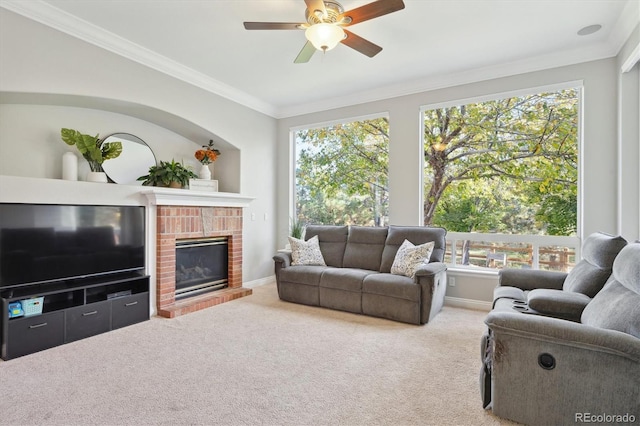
point(72, 310)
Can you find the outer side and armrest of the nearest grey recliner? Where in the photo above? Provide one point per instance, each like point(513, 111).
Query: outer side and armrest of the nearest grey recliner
point(567, 368)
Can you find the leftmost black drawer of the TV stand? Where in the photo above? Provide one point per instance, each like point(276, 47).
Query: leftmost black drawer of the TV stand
point(33, 334)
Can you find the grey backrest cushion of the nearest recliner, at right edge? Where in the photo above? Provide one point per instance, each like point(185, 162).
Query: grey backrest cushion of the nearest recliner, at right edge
point(617, 305)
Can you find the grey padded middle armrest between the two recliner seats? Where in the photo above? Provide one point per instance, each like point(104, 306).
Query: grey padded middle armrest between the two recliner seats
point(558, 303)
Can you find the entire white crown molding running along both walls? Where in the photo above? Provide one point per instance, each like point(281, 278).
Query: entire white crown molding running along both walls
point(53, 17)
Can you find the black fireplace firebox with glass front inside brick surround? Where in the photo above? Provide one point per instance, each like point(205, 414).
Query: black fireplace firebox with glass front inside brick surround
point(202, 266)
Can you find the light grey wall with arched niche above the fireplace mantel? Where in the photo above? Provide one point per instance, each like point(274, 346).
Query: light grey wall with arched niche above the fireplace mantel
point(35, 59)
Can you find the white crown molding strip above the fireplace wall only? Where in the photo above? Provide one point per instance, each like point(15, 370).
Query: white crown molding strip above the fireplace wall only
point(60, 20)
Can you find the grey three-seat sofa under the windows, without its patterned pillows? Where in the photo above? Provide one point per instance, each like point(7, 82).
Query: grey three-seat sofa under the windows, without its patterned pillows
point(357, 276)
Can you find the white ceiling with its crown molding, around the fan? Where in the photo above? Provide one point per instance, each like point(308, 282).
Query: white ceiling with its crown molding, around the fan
point(429, 44)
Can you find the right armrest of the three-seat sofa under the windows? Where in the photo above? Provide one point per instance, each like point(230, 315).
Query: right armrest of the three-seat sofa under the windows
point(432, 279)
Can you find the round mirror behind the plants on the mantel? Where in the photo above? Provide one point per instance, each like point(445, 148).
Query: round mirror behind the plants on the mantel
point(133, 162)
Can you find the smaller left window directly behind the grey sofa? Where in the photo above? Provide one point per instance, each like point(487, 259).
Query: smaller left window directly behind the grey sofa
point(341, 173)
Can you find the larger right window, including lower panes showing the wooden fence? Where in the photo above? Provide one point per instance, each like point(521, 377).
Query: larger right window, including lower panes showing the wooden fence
point(509, 167)
